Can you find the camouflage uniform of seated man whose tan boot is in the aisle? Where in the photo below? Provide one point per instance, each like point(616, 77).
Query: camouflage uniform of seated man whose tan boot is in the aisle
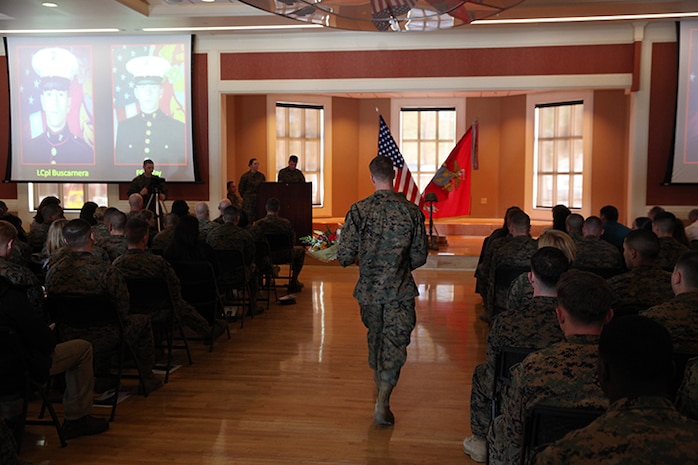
point(533, 326)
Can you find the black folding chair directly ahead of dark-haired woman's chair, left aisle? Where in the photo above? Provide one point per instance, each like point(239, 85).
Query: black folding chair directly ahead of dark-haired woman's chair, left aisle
point(234, 281)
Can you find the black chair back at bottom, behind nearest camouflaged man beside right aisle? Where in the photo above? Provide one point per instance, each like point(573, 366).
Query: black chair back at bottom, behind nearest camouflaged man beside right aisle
point(546, 424)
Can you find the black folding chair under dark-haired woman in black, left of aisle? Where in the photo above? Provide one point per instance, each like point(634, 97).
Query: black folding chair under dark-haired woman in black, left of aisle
point(200, 289)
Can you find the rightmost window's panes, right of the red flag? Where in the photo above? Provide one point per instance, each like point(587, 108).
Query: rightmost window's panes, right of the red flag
point(558, 154)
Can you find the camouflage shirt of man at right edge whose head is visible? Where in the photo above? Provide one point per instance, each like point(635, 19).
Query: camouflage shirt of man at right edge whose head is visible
point(680, 317)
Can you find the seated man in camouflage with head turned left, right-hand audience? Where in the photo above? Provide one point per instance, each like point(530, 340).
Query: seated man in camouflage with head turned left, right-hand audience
point(645, 284)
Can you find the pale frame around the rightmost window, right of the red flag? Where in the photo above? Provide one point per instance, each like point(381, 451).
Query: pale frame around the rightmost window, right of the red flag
point(587, 96)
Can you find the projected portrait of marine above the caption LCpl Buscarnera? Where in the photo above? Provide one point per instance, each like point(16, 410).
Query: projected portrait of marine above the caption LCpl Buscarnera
point(56, 106)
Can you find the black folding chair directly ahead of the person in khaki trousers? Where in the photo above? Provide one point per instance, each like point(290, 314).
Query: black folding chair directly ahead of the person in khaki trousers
point(93, 312)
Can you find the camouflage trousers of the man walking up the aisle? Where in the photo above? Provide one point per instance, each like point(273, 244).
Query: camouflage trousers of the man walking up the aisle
point(389, 328)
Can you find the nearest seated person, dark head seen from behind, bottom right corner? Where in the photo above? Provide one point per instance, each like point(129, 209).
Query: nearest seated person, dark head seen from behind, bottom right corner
point(641, 426)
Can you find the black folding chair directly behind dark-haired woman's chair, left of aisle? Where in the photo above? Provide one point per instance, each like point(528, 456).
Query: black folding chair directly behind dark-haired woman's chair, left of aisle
point(151, 296)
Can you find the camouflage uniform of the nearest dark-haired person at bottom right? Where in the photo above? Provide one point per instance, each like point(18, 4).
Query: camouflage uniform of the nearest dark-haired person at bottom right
point(640, 431)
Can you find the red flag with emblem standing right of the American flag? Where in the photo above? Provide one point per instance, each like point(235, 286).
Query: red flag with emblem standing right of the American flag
point(451, 183)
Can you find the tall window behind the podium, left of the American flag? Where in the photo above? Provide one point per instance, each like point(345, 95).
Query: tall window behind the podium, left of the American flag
point(300, 131)
